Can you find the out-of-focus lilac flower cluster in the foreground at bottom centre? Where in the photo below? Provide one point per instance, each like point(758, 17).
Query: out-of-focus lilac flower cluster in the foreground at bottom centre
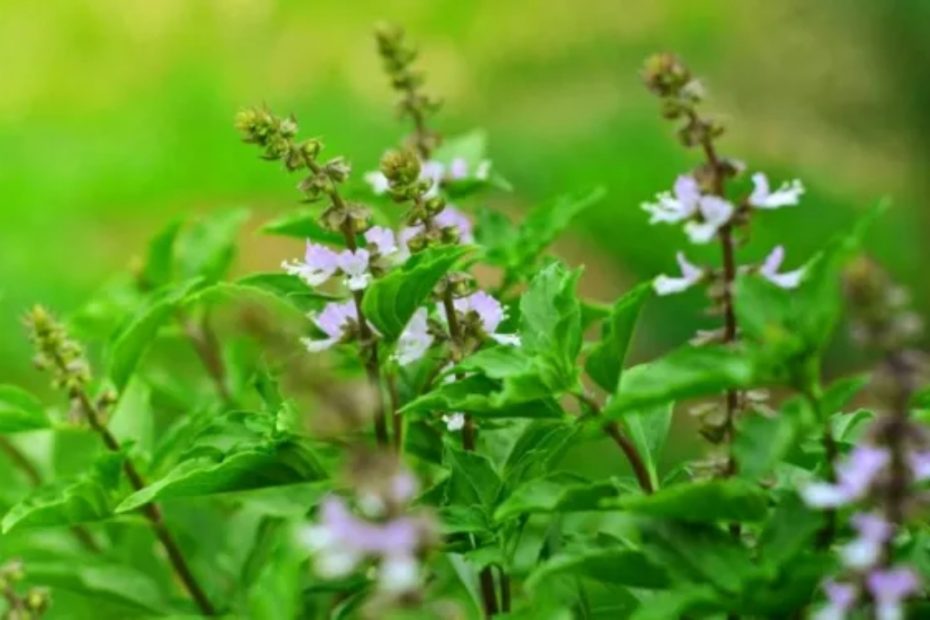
point(386, 534)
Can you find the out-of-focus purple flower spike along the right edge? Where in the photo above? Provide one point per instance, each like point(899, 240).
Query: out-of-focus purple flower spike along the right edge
point(882, 471)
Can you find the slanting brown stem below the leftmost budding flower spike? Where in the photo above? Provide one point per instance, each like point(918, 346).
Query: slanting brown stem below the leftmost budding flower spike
point(150, 511)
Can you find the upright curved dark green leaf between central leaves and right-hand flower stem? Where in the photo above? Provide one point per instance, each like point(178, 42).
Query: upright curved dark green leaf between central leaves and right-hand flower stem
point(605, 361)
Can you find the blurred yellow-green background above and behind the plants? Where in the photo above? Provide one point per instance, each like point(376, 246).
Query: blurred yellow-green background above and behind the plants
point(116, 115)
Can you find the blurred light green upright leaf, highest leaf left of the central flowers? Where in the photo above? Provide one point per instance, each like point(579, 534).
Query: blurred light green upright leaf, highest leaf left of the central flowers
point(207, 248)
